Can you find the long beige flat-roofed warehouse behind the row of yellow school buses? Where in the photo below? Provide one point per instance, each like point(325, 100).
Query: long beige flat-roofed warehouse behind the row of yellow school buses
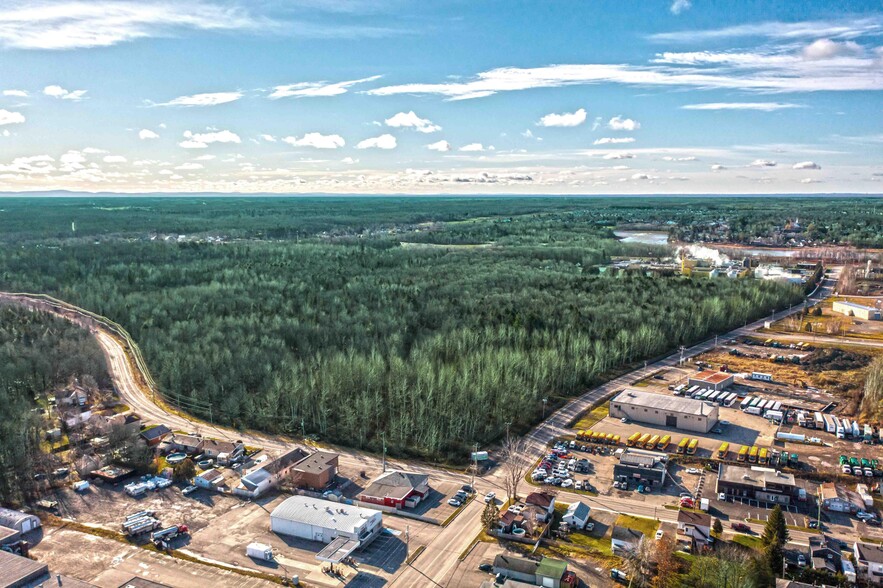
point(666, 411)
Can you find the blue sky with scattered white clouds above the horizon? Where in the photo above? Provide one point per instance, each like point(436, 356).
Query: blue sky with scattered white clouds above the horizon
point(442, 97)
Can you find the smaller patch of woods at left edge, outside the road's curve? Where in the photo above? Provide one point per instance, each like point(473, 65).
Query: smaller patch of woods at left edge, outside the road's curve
point(38, 353)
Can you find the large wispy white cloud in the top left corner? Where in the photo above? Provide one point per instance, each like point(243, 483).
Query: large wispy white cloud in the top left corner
point(72, 24)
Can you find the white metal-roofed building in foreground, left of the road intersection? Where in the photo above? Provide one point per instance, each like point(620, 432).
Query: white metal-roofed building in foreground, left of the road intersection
point(324, 520)
